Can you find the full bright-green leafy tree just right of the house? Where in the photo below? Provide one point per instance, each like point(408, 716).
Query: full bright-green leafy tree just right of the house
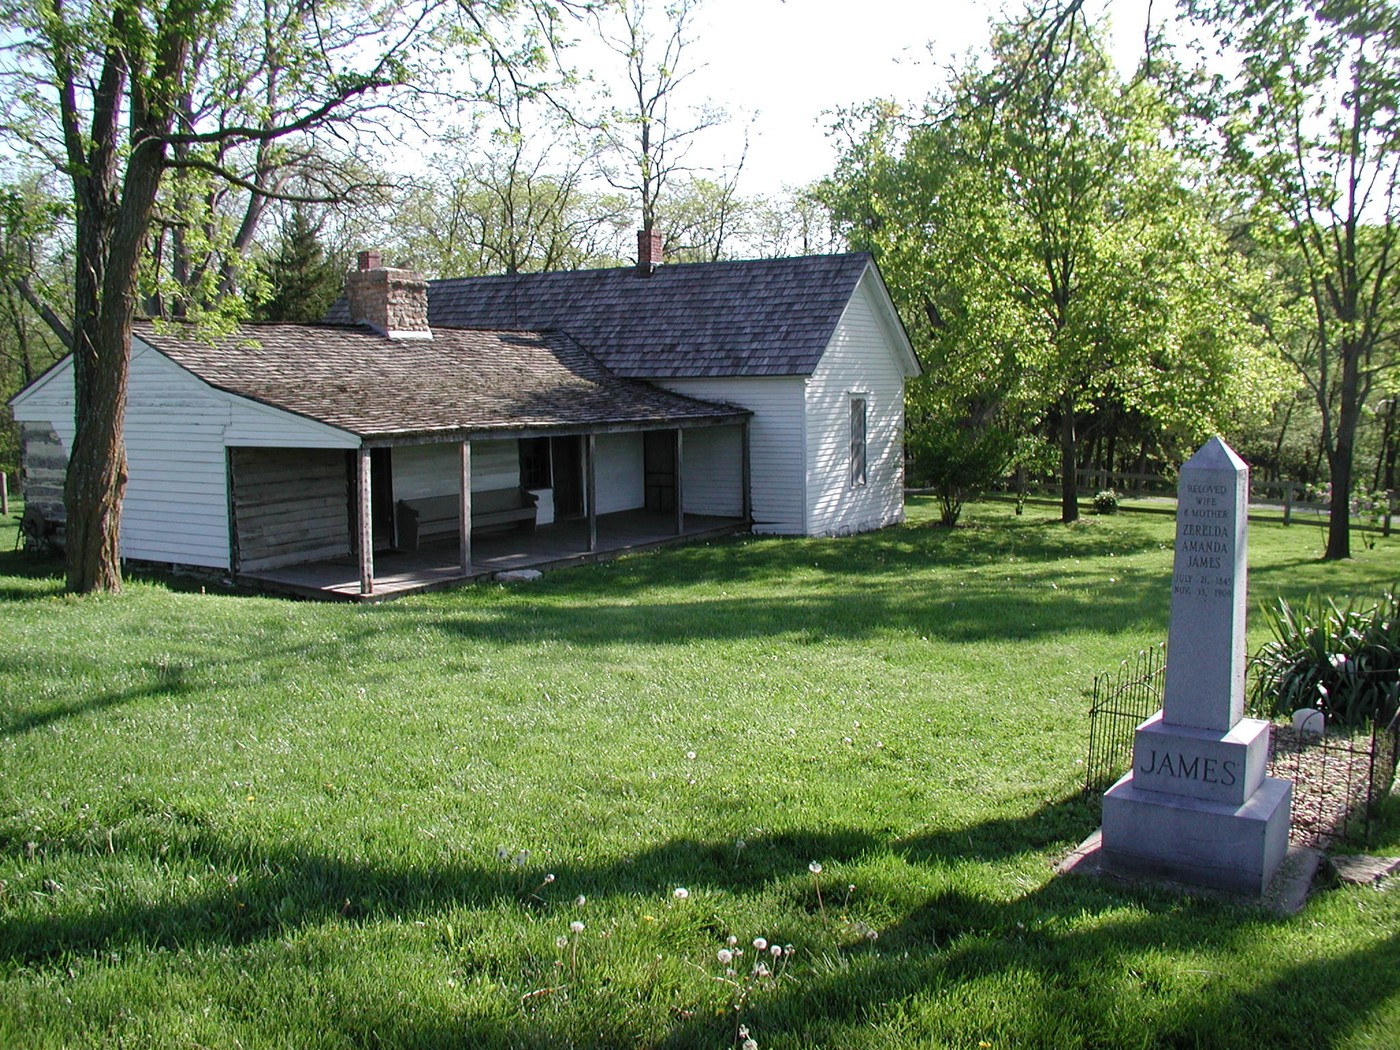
point(1048, 250)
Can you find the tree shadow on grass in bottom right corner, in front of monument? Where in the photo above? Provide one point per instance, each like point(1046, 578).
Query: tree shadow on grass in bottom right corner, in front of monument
point(1104, 983)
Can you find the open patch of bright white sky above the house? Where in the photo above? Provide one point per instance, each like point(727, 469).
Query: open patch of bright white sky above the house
point(792, 61)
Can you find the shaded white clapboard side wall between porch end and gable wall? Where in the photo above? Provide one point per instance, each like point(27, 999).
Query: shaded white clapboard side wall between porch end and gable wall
point(778, 457)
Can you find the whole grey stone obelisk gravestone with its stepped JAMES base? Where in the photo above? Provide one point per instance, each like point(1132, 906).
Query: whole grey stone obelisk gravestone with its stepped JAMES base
point(1198, 806)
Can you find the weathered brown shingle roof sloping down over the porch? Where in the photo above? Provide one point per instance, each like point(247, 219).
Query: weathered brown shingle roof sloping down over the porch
point(458, 383)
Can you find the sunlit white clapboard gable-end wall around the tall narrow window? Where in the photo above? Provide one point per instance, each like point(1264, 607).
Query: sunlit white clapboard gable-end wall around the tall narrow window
point(860, 362)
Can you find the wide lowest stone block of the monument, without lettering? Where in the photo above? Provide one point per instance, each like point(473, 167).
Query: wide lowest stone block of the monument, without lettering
point(1193, 841)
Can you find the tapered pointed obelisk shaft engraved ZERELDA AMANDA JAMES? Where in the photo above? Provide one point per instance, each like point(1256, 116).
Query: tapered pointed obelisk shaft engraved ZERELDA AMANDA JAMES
point(1206, 638)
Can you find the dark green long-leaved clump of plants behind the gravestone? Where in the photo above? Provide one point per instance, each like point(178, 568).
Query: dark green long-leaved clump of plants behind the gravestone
point(1343, 661)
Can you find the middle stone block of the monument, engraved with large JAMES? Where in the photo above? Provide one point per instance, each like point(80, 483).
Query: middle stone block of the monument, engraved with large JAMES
point(1202, 764)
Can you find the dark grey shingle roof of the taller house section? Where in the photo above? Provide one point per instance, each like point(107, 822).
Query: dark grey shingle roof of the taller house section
point(764, 317)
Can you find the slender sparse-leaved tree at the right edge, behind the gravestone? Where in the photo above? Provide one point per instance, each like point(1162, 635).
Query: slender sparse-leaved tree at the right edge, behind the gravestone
point(1305, 124)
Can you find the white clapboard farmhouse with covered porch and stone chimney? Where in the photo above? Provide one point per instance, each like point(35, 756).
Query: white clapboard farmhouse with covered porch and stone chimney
point(432, 433)
